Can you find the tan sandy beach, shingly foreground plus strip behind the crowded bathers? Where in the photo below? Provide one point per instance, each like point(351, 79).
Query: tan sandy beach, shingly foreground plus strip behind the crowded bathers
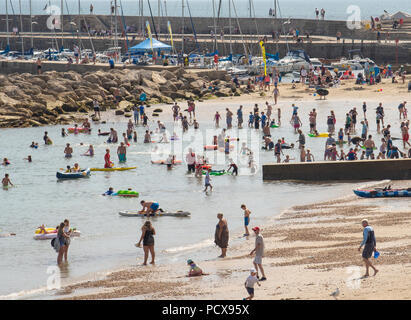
point(310, 250)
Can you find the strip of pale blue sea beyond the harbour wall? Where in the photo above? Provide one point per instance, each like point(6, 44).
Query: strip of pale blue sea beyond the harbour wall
point(335, 9)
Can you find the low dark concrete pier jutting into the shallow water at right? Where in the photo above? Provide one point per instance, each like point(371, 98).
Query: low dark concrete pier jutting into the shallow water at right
point(395, 169)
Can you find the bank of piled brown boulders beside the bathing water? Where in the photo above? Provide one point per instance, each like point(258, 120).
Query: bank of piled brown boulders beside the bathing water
point(66, 97)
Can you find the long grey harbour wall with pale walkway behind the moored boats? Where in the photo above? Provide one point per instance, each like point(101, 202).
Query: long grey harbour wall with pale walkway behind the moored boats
point(246, 32)
